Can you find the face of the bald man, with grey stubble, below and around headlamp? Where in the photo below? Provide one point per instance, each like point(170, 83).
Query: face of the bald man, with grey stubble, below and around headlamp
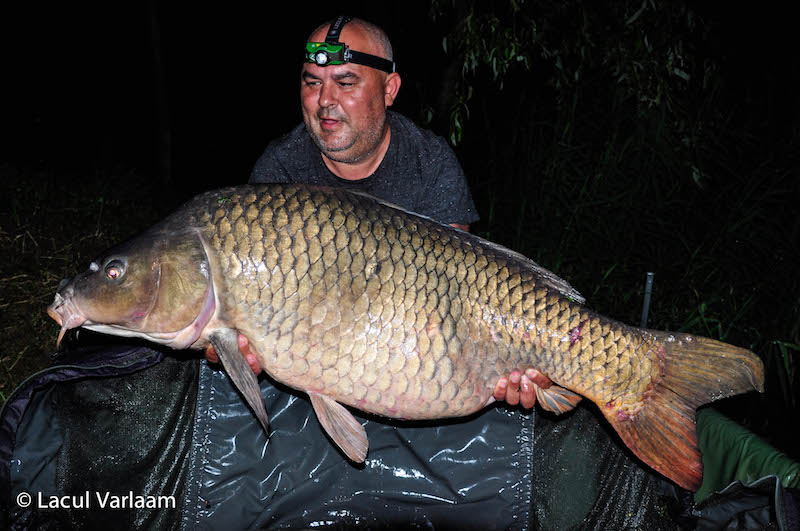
point(344, 106)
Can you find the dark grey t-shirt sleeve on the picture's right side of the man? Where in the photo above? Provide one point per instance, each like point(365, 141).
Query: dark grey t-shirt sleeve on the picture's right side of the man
point(447, 197)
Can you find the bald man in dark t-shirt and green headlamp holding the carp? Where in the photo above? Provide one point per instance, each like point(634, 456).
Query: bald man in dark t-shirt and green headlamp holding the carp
point(346, 140)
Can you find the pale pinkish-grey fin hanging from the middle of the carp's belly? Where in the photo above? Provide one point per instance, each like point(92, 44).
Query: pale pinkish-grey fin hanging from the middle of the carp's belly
point(348, 434)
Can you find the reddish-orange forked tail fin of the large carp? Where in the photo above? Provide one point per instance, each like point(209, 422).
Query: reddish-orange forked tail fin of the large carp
point(697, 370)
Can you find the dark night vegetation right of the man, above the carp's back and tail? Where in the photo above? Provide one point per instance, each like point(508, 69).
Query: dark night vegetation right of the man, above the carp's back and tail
point(608, 140)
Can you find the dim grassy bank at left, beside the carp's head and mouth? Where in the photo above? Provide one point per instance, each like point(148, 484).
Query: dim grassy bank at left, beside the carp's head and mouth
point(51, 225)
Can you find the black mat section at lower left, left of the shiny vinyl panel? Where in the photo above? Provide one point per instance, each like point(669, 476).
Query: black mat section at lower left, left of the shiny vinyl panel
point(98, 423)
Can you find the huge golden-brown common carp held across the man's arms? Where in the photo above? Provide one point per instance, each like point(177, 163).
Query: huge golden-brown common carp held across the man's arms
point(358, 302)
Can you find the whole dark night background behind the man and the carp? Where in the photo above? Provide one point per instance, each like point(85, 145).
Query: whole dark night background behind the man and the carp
point(116, 113)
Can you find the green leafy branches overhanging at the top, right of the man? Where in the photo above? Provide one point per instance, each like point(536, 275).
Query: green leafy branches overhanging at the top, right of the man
point(646, 50)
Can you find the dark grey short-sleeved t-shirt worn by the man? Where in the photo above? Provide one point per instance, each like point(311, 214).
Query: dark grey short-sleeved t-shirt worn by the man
point(419, 172)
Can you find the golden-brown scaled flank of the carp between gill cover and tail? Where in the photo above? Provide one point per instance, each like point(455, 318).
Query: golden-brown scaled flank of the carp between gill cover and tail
point(311, 228)
